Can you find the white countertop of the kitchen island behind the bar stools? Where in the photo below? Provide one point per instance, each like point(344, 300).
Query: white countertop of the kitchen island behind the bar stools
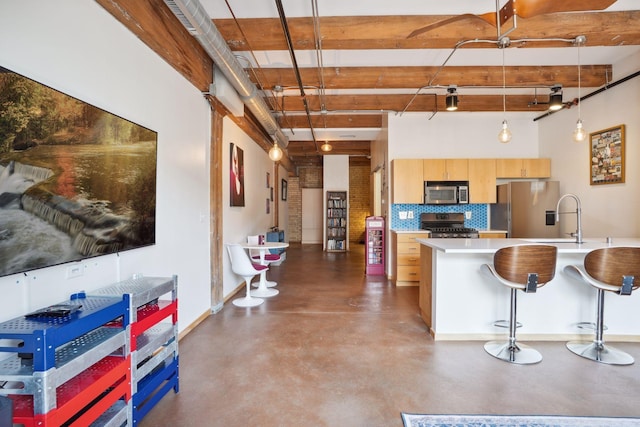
point(568, 245)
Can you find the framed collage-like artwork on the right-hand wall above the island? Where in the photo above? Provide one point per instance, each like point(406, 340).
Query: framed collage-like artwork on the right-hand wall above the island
point(606, 160)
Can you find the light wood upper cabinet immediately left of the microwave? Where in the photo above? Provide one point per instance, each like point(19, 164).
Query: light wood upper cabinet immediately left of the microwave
point(407, 182)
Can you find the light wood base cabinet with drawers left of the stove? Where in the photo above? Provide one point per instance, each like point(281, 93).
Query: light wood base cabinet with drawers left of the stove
point(407, 258)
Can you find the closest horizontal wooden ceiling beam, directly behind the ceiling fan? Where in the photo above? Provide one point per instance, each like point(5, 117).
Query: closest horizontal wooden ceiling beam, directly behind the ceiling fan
point(391, 32)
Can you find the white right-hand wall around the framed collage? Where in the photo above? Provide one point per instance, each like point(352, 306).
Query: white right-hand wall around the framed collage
point(607, 210)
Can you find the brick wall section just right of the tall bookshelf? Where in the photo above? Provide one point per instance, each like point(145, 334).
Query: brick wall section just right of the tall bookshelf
point(359, 201)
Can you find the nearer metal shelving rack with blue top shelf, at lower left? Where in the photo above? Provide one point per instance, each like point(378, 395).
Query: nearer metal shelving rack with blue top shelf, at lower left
point(72, 369)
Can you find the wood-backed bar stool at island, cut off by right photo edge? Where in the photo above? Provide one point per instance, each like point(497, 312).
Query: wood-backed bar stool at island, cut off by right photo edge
point(612, 270)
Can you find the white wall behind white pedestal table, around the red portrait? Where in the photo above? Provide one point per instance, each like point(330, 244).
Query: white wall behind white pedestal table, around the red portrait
point(239, 222)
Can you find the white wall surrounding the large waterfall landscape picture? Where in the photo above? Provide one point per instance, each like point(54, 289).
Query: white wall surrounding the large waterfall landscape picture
point(78, 48)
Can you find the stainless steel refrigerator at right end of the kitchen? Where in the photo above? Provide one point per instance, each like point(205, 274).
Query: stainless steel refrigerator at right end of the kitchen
point(523, 208)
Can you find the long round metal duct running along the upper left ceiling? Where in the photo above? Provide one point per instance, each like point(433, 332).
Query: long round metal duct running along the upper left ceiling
point(196, 20)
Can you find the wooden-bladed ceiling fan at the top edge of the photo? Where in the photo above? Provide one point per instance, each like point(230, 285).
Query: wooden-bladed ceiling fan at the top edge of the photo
point(523, 9)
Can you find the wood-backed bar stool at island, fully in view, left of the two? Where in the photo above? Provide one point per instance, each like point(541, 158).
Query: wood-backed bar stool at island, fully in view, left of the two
point(525, 268)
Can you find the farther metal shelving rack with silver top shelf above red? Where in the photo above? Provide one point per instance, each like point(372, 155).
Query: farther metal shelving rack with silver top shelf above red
point(154, 339)
